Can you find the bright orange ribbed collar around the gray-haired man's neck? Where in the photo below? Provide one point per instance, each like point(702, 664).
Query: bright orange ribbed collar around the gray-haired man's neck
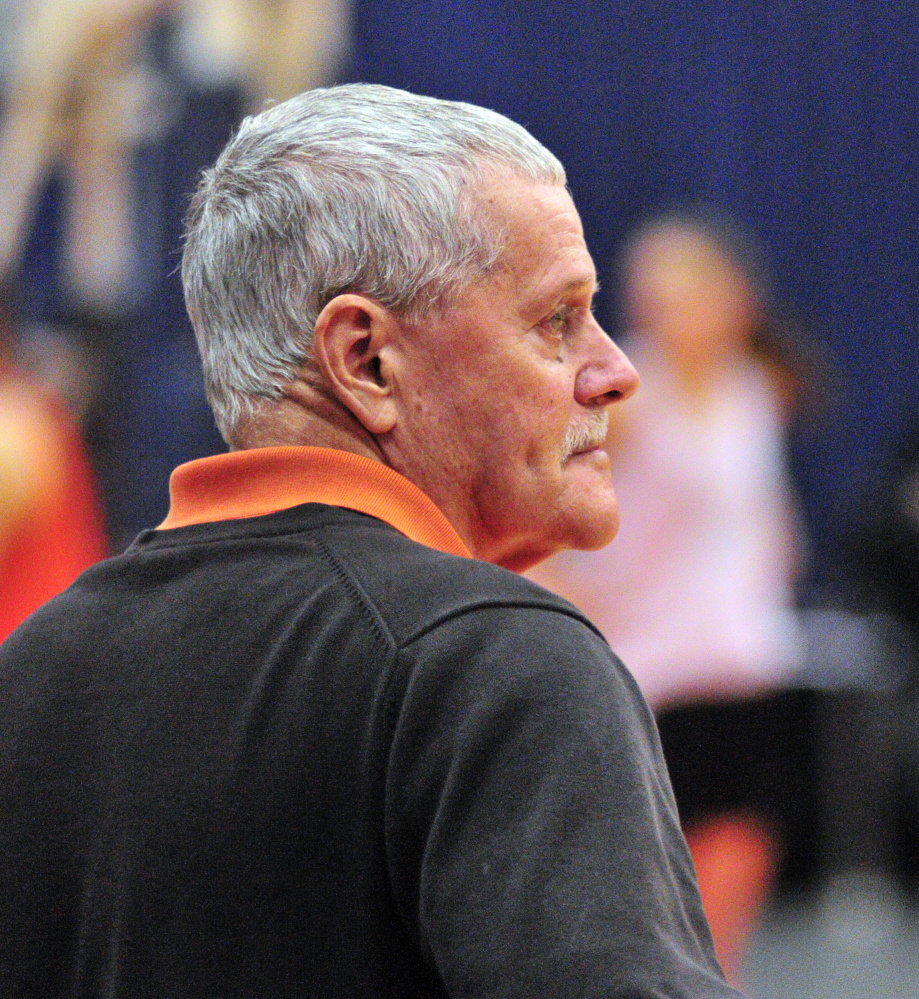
point(264, 480)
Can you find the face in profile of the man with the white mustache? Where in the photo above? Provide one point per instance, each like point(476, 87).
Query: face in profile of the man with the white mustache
point(506, 392)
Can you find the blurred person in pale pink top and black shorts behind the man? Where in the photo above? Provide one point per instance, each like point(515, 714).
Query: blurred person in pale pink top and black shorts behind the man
point(696, 593)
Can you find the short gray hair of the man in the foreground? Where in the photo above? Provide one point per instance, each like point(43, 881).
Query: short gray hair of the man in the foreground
point(358, 188)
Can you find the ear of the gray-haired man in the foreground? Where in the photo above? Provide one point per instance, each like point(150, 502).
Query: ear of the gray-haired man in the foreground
point(352, 343)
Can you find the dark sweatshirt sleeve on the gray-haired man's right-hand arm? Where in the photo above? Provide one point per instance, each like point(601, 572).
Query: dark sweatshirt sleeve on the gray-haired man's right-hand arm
point(532, 835)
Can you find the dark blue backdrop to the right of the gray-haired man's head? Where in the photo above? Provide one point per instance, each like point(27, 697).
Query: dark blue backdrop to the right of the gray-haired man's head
point(798, 117)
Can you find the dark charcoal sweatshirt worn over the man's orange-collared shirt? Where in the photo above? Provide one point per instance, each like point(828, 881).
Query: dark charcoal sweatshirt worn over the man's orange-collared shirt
point(301, 755)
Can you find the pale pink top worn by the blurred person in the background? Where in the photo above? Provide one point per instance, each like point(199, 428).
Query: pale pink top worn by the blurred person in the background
point(695, 593)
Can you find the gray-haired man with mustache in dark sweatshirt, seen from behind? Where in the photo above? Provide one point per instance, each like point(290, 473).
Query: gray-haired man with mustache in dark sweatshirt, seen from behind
point(310, 737)
